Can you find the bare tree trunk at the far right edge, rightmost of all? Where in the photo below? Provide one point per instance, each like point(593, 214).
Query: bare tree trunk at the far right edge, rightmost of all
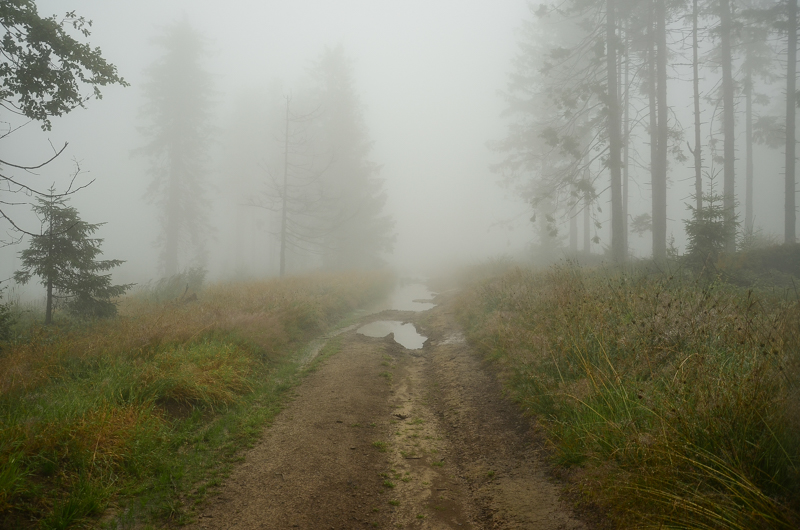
point(791, 105)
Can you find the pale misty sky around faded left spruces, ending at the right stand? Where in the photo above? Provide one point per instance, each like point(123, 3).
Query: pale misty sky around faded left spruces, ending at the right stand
point(427, 72)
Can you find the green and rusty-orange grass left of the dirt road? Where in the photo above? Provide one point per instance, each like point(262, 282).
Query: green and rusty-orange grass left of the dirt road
point(135, 419)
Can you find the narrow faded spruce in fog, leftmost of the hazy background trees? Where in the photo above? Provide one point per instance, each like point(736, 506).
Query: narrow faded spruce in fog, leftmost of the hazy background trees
point(178, 96)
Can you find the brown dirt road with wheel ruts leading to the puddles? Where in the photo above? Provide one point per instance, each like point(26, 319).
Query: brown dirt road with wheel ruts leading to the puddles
point(384, 437)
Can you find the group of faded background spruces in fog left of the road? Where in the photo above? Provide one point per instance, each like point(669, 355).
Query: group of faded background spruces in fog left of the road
point(307, 165)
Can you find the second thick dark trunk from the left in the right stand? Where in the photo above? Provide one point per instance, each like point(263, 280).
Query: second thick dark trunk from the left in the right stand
point(660, 171)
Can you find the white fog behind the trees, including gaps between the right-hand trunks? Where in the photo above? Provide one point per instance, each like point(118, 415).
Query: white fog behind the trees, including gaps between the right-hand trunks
point(427, 75)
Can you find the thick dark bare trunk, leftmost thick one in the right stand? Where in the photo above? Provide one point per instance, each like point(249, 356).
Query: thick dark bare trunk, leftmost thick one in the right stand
point(618, 250)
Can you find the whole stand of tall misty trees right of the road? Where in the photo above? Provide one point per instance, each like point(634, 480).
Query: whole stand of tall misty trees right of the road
point(589, 103)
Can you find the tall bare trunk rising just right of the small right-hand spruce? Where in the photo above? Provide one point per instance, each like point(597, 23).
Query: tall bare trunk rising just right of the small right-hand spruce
point(728, 123)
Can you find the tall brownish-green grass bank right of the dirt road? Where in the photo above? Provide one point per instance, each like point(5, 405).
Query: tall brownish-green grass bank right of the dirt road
point(675, 402)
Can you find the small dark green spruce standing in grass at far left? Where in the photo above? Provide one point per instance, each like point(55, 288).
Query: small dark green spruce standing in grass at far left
point(64, 257)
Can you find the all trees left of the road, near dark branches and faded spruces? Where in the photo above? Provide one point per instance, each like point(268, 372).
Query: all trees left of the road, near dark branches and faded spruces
point(335, 221)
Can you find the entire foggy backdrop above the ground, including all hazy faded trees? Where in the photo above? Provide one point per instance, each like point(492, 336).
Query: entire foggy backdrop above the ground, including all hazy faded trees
point(262, 140)
